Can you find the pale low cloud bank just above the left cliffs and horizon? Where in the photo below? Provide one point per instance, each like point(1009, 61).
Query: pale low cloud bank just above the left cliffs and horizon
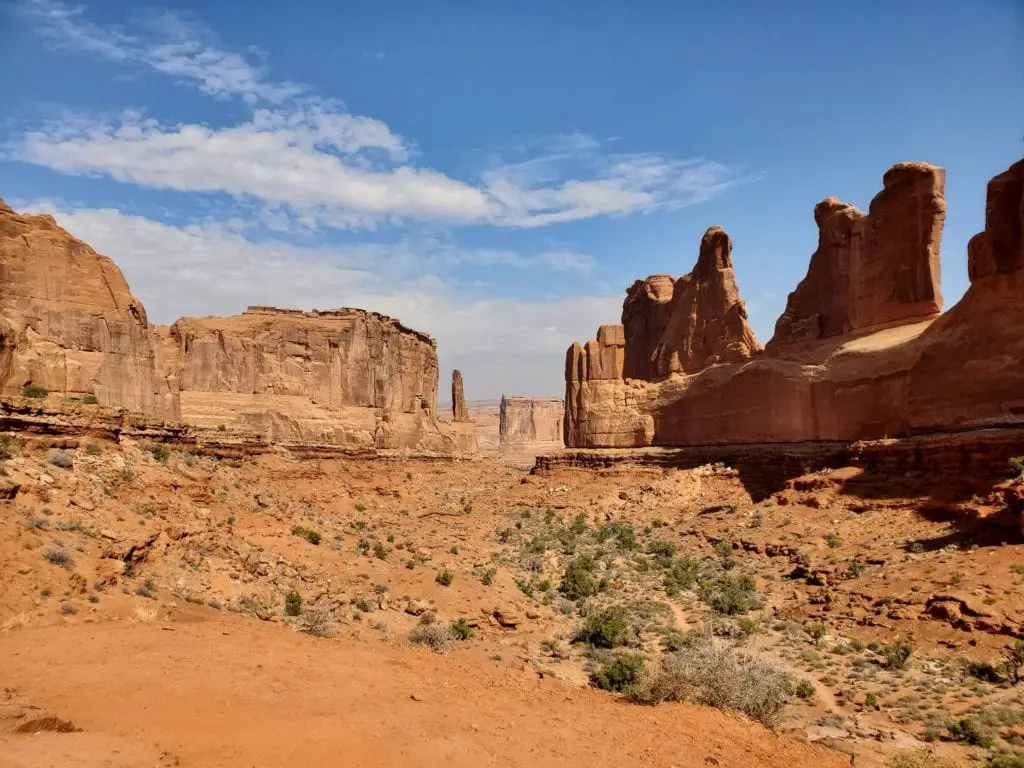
point(510, 346)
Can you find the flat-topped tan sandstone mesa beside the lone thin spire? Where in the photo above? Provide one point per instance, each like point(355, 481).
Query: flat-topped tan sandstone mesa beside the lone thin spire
point(347, 377)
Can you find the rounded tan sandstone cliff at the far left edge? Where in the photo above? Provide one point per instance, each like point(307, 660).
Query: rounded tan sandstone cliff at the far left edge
point(69, 323)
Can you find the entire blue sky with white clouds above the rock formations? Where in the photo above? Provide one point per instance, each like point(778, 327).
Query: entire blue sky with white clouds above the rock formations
point(494, 175)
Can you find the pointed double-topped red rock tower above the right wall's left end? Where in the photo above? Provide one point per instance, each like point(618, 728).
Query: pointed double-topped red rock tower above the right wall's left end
point(697, 322)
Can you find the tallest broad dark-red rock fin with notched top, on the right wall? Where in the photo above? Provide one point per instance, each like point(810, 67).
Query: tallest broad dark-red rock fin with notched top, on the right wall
point(874, 271)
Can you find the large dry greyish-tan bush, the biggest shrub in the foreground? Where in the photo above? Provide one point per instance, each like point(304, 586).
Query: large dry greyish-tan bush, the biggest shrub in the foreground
point(718, 676)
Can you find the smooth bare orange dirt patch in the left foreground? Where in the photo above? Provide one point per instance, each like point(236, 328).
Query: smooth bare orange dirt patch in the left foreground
point(231, 693)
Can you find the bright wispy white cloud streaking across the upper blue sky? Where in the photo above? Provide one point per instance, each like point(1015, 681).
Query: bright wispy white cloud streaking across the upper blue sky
point(311, 163)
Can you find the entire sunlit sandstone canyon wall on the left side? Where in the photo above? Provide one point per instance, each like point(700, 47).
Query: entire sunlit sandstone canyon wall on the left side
point(71, 329)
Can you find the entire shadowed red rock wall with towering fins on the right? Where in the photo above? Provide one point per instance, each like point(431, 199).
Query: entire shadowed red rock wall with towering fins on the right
point(861, 352)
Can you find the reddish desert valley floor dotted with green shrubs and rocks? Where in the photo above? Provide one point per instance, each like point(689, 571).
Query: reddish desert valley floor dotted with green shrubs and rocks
point(166, 609)
